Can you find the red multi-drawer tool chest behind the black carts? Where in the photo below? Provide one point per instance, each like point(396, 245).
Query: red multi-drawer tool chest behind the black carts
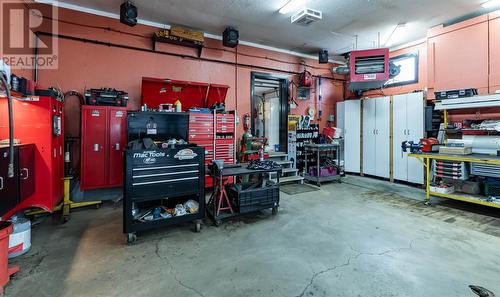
point(216, 132)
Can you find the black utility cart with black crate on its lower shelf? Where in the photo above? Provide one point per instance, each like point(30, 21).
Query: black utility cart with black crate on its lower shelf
point(233, 199)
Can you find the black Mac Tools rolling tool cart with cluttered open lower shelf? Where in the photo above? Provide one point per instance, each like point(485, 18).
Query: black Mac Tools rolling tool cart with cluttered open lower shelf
point(162, 180)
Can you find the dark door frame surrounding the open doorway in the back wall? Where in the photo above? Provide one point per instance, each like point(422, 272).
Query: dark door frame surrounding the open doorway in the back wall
point(284, 108)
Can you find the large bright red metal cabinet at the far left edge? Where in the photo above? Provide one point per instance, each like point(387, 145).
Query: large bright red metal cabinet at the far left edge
point(39, 121)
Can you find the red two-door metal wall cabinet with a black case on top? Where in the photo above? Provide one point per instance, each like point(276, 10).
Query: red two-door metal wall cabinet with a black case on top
point(102, 146)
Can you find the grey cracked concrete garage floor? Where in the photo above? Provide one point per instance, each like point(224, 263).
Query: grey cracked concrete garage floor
point(363, 237)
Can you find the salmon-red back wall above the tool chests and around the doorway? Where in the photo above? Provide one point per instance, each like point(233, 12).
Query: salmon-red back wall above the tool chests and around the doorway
point(86, 65)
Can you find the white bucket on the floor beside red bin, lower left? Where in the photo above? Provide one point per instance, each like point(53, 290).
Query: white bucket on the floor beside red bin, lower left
point(20, 238)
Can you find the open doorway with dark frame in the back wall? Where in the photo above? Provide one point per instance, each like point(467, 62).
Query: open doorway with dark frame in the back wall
point(269, 95)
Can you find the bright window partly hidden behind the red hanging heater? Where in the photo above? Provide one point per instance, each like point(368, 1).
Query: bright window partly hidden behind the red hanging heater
point(409, 70)
